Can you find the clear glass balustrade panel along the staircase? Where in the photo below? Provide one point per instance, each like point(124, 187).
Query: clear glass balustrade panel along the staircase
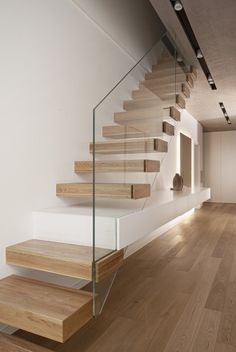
point(132, 129)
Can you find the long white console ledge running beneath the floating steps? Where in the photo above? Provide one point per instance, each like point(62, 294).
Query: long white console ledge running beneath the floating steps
point(116, 226)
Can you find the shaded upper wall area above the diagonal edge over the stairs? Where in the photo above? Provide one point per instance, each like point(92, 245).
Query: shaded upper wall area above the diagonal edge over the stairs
point(132, 24)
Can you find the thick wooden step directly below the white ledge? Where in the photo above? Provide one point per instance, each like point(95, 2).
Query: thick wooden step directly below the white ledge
point(64, 259)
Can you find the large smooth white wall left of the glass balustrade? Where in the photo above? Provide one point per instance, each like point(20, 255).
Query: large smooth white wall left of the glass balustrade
point(55, 65)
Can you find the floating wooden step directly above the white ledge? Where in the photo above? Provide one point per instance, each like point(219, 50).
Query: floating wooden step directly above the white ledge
point(104, 190)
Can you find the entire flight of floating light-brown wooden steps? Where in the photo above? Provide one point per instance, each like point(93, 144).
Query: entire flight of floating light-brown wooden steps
point(57, 312)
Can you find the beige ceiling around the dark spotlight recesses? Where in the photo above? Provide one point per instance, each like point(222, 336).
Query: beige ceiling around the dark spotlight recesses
point(213, 22)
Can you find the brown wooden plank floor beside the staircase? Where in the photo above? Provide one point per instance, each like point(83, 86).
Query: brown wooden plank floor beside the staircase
point(177, 294)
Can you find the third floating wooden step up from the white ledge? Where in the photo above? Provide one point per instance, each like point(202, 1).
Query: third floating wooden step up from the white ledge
point(132, 146)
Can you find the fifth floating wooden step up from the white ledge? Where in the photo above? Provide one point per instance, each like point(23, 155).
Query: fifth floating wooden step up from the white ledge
point(145, 114)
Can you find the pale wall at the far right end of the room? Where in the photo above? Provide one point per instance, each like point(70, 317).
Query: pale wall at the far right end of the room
point(220, 166)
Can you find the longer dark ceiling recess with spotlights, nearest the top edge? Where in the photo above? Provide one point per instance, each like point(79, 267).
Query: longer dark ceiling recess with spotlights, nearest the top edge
point(182, 16)
